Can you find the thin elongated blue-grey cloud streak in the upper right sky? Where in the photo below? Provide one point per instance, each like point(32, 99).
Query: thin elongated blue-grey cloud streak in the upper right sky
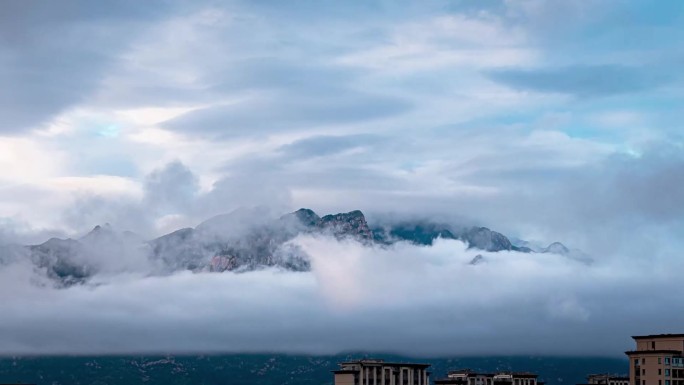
point(583, 81)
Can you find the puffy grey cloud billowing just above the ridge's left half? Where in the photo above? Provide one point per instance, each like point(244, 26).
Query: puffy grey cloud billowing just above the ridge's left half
point(171, 198)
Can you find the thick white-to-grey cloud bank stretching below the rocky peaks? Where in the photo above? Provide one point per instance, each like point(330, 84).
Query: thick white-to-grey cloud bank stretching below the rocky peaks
point(356, 298)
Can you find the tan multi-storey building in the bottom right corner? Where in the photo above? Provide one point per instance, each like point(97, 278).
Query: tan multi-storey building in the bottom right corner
point(657, 360)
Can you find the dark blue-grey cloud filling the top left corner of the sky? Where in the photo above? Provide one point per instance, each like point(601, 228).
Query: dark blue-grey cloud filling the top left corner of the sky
point(55, 55)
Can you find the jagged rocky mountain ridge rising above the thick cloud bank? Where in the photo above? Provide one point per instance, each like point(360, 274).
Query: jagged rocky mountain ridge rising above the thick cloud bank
point(243, 240)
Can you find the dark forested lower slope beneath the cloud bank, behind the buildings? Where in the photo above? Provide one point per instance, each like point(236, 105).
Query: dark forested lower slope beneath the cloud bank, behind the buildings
point(271, 369)
